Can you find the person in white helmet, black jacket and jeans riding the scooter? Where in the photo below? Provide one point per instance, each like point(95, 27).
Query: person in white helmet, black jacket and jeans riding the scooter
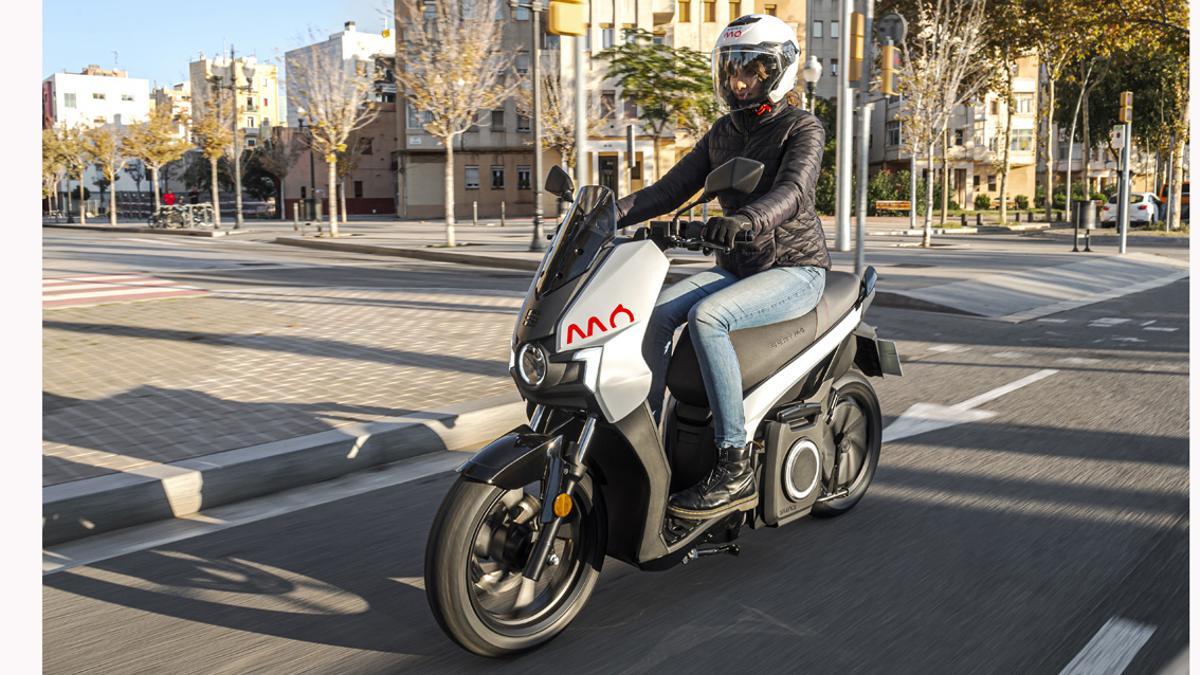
point(778, 276)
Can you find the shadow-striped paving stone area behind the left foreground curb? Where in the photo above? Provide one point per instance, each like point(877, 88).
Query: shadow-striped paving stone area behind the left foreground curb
point(129, 385)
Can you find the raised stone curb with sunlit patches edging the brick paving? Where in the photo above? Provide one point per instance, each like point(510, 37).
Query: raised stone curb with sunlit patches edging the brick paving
point(80, 509)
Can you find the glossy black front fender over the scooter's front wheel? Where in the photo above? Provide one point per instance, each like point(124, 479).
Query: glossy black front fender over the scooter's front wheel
point(513, 461)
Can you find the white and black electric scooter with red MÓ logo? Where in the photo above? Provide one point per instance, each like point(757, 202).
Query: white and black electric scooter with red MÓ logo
point(518, 545)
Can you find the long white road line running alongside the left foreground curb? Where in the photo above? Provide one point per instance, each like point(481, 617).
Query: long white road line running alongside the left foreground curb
point(133, 540)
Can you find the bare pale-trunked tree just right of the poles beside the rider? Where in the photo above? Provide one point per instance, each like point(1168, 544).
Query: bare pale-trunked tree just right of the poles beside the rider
point(943, 69)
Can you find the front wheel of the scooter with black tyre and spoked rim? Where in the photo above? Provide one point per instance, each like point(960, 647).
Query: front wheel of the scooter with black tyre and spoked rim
point(478, 548)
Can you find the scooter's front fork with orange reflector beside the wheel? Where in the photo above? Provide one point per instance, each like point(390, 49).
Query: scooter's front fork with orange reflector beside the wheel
point(563, 475)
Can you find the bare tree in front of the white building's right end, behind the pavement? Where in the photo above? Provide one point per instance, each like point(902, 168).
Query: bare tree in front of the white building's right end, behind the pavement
point(337, 98)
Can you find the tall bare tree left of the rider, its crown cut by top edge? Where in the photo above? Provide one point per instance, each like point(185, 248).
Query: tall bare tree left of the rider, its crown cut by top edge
point(451, 65)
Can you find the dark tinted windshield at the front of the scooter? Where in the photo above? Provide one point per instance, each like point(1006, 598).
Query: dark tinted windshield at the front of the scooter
point(586, 229)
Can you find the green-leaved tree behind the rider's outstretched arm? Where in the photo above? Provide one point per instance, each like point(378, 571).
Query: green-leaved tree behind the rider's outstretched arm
point(673, 87)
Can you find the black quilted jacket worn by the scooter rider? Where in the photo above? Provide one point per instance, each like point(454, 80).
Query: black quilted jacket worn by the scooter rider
point(785, 225)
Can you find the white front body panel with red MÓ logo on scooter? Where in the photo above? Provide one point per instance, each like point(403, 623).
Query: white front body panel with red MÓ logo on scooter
point(609, 320)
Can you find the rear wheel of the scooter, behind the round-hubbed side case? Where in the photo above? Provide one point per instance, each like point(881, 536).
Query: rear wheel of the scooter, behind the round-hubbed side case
point(857, 429)
